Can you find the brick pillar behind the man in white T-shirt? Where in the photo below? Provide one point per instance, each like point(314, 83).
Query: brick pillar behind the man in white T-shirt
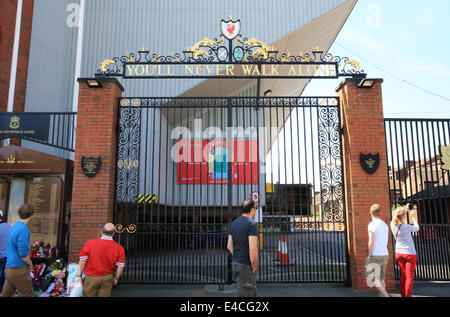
point(363, 132)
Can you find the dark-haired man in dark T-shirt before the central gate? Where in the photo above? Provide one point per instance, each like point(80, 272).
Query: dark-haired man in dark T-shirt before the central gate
point(243, 245)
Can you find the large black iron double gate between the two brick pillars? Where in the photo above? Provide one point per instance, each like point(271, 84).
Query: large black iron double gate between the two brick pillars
point(185, 165)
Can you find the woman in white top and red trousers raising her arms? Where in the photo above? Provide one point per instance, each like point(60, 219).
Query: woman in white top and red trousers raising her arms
point(405, 251)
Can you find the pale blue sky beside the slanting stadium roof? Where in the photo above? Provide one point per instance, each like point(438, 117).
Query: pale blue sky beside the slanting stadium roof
point(405, 42)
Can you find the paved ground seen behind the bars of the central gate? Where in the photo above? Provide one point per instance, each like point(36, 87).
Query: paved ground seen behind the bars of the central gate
point(314, 257)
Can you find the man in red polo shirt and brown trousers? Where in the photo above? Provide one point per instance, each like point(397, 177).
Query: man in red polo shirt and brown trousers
point(98, 260)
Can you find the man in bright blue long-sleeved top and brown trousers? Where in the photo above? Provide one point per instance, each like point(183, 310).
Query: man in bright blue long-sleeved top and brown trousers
point(18, 263)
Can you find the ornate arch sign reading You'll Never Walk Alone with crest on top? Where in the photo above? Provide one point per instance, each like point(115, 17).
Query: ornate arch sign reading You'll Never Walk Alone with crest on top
point(224, 55)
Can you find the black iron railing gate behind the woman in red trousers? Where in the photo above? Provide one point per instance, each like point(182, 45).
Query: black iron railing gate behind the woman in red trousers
point(416, 151)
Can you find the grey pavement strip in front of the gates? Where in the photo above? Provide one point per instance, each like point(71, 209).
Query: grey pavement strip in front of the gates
point(421, 289)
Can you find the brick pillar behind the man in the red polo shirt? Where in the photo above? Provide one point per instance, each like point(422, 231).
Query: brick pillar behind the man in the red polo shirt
point(93, 198)
